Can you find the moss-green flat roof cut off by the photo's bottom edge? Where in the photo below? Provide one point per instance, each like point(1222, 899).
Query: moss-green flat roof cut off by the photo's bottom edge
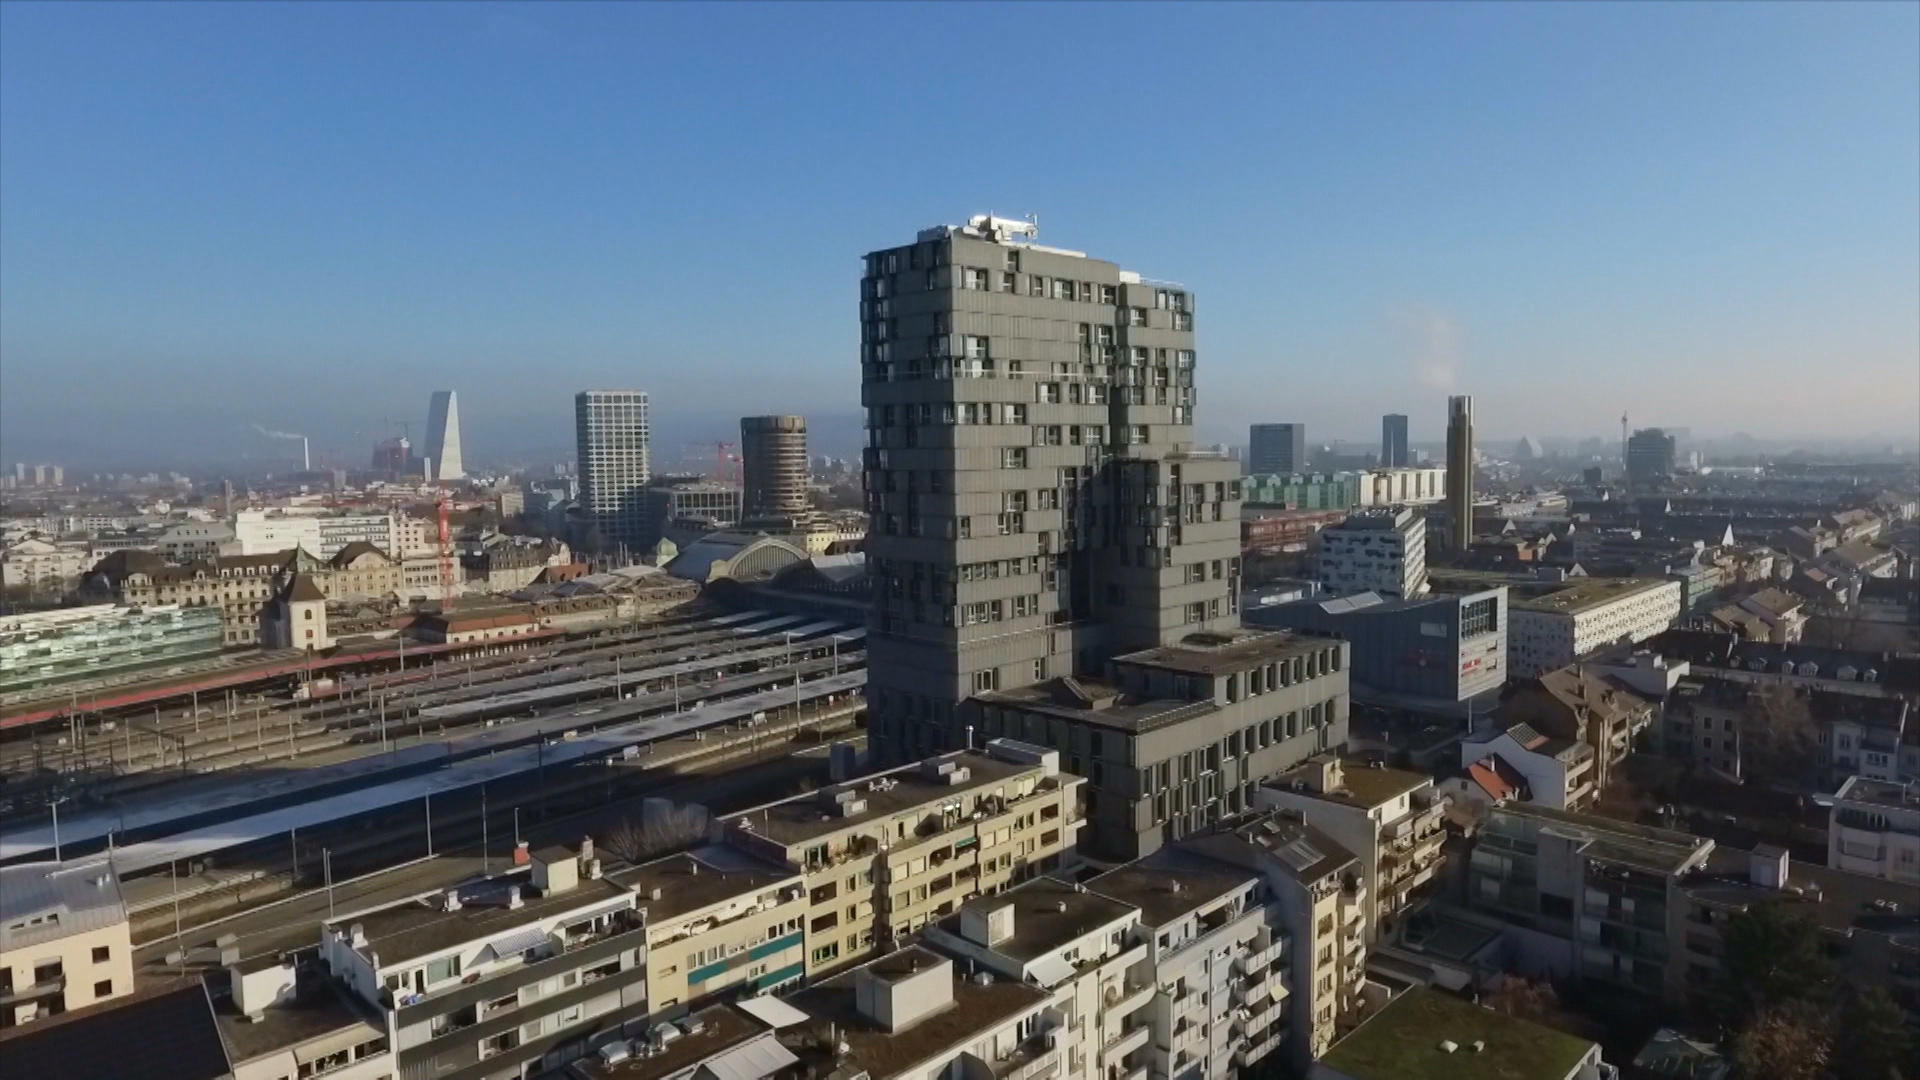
point(1404, 1044)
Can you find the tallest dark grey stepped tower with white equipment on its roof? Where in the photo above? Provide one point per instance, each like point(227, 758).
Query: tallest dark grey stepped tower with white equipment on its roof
point(1036, 506)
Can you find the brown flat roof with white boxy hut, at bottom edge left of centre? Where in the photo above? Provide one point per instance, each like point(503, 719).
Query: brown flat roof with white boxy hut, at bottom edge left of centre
point(974, 1012)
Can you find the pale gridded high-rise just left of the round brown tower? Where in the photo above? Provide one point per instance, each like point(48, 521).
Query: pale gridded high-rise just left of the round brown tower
point(612, 439)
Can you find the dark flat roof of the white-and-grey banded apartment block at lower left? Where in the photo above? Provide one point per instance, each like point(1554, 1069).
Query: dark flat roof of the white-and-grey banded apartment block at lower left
point(420, 927)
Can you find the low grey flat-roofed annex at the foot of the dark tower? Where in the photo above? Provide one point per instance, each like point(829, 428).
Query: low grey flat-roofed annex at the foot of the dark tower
point(1176, 739)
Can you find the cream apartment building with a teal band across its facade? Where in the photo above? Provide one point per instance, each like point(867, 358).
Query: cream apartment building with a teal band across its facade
point(717, 920)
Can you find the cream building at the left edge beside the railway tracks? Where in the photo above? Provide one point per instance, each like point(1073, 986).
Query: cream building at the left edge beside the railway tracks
point(64, 941)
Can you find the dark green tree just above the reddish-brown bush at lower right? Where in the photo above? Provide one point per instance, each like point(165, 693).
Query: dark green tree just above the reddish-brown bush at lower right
point(1771, 960)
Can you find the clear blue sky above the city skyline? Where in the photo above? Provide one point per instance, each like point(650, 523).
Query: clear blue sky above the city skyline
point(314, 214)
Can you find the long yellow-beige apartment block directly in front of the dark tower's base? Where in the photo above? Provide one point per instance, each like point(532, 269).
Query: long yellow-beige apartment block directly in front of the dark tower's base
point(892, 852)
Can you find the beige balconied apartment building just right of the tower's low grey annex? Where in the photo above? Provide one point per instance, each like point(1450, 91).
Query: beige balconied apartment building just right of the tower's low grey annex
point(1391, 820)
